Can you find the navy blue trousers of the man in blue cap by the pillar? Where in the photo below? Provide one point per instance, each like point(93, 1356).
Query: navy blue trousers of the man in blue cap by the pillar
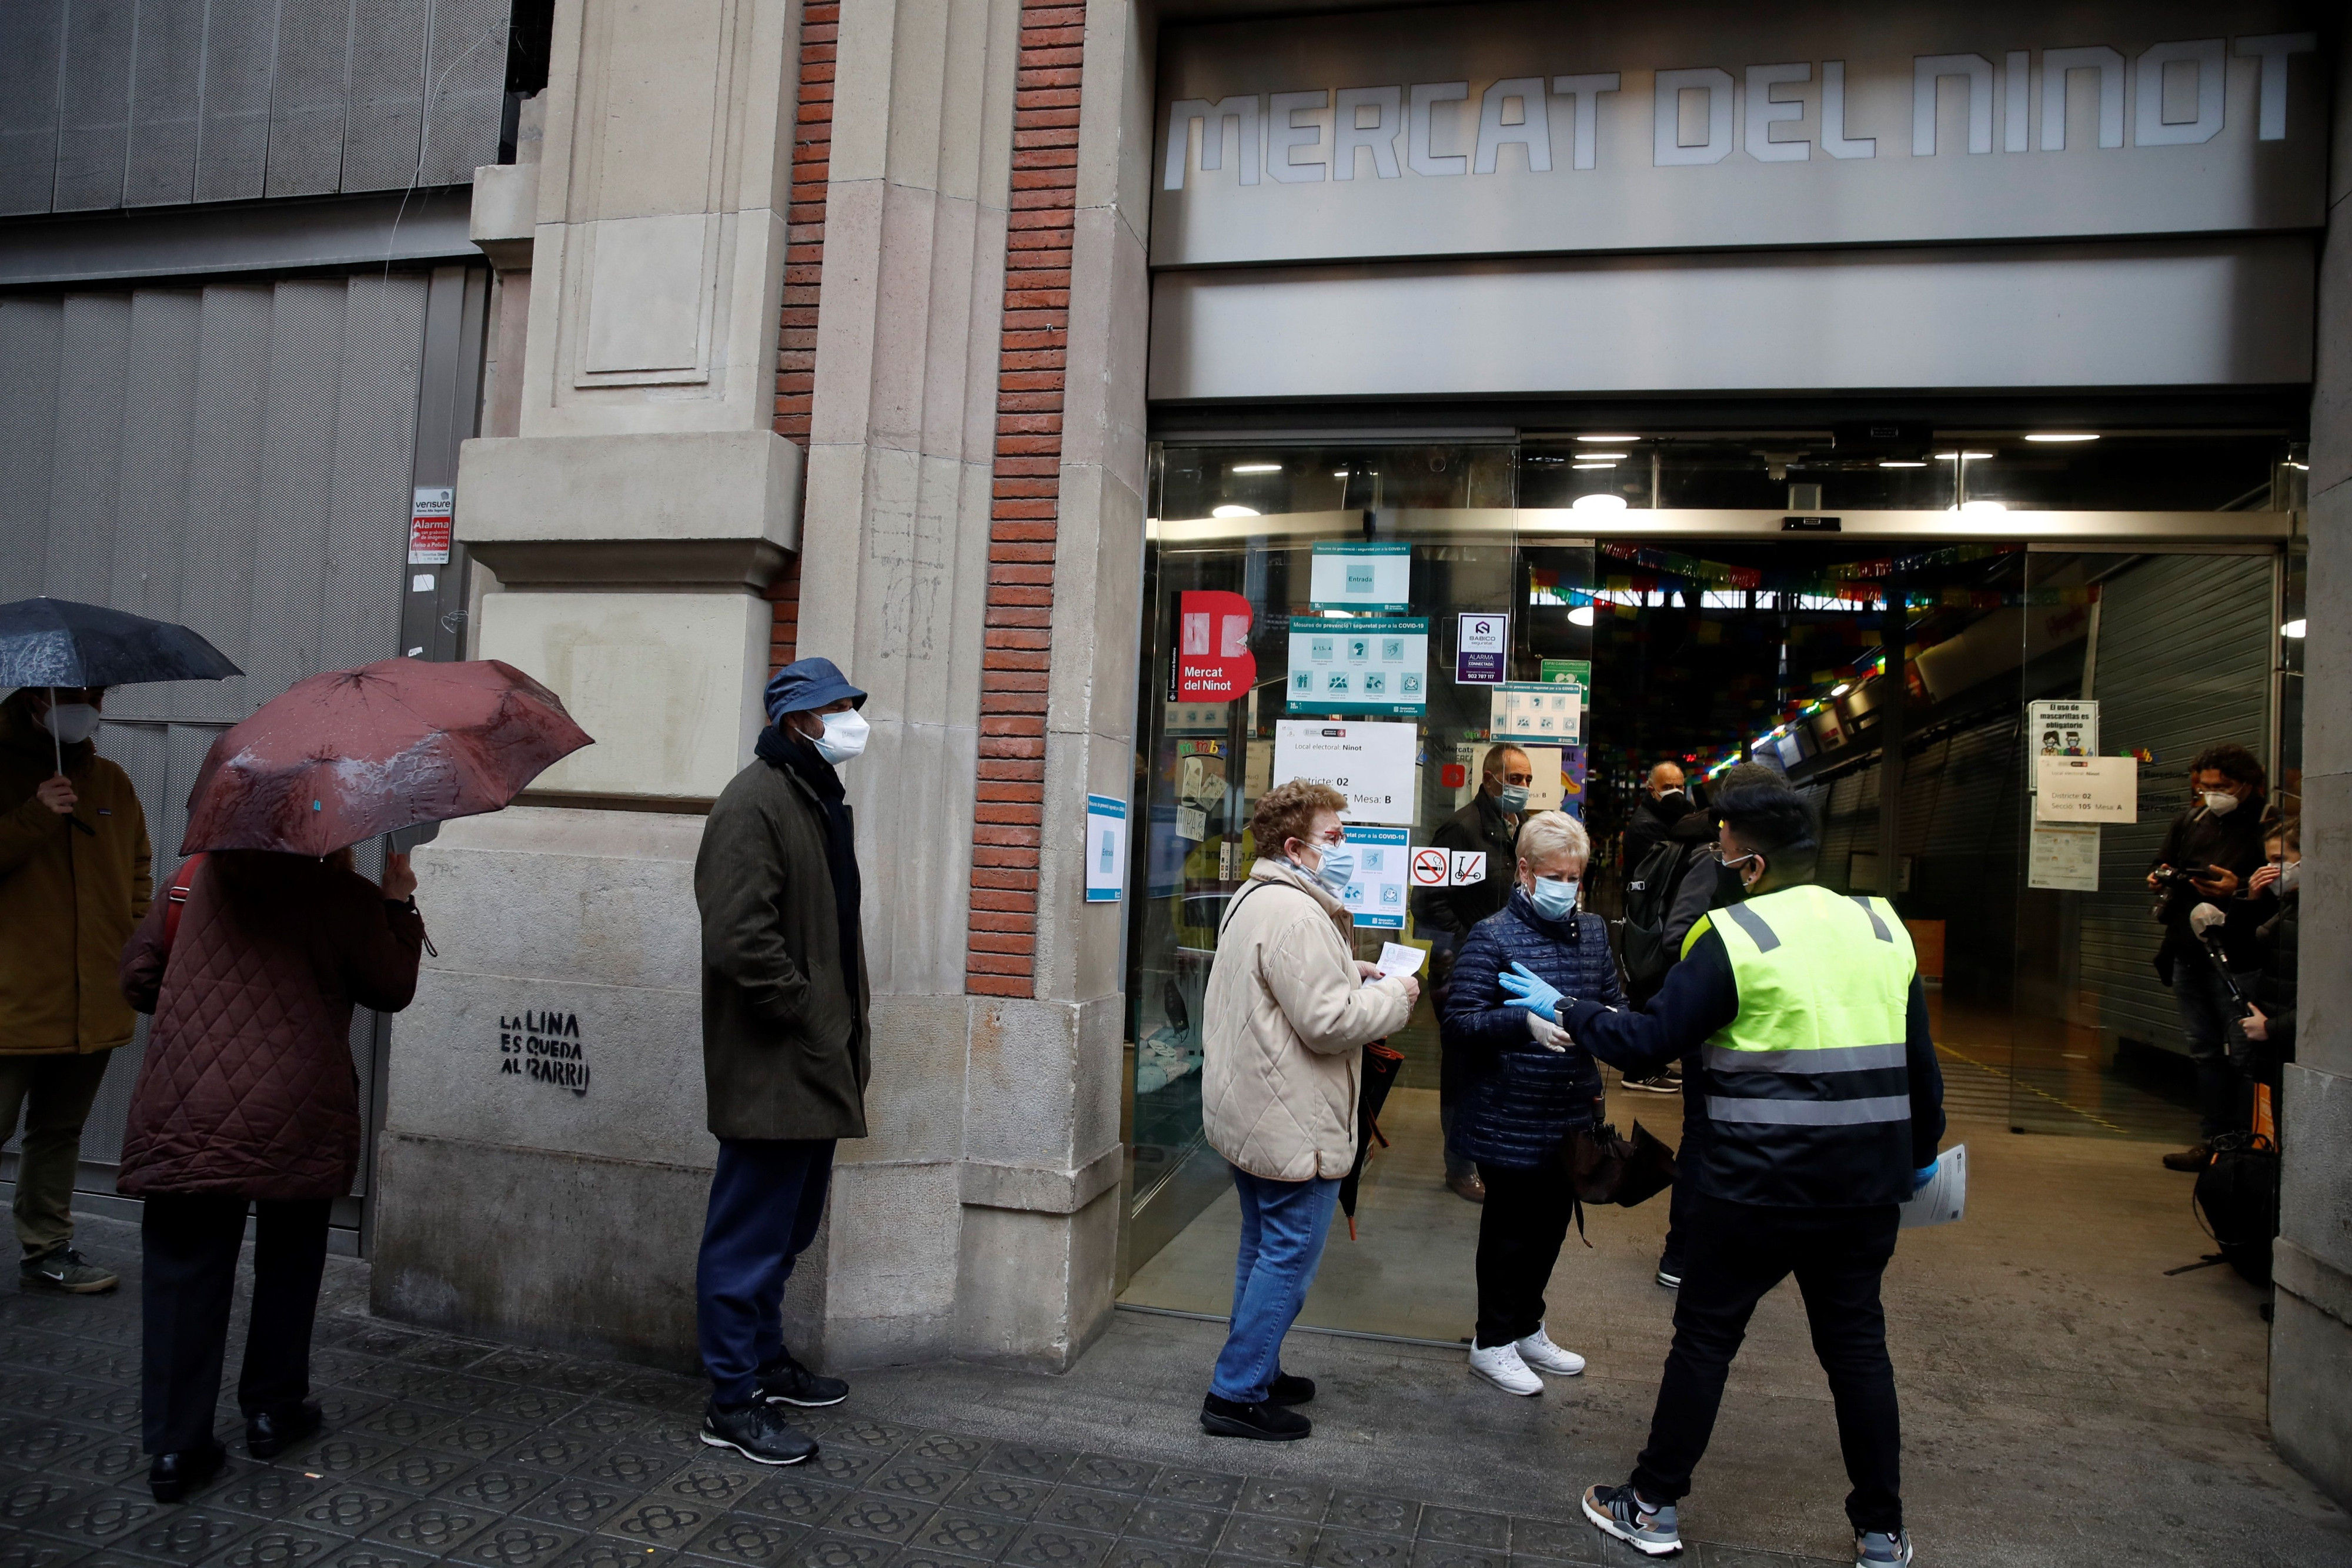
point(768, 1198)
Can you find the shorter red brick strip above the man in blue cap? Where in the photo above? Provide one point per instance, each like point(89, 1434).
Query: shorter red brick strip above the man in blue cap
point(803, 279)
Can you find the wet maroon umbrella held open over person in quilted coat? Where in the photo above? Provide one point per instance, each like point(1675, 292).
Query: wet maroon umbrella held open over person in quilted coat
point(354, 753)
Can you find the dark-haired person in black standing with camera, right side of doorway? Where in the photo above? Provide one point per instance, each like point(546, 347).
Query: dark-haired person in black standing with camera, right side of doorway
point(2212, 847)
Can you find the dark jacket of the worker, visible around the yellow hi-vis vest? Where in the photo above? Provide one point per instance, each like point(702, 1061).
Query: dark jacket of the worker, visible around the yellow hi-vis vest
point(1786, 1167)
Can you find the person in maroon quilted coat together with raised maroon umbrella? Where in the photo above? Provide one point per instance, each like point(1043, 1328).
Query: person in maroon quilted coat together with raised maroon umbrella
point(253, 967)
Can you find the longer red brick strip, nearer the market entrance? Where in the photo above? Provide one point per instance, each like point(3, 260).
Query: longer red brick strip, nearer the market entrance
point(1010, 815)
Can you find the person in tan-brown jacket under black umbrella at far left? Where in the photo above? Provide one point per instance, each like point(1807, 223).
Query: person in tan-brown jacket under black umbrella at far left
point(74, 885)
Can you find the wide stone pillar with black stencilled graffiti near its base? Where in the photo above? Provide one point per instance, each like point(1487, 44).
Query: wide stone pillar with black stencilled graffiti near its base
point(544, 1155)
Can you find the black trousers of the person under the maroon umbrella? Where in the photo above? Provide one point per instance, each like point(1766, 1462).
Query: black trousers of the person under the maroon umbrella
point(189, 1247)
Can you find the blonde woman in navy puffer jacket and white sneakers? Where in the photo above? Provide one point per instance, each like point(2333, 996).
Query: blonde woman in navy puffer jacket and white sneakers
point(1530, 1087)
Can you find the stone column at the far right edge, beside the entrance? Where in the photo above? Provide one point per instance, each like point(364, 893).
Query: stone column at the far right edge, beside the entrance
point(2311, 1336)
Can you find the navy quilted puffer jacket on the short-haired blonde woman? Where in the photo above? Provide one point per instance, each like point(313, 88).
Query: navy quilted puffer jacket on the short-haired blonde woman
point(1523, 1101)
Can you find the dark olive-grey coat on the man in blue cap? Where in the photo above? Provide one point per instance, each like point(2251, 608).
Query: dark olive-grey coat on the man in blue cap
point(784, 1043)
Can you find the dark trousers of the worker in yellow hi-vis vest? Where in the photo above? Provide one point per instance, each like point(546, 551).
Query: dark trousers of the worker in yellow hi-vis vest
point(1737, 1254)
